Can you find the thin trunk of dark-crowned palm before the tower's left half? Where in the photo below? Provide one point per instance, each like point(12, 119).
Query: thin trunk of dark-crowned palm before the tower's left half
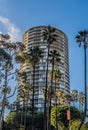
point(33, 97)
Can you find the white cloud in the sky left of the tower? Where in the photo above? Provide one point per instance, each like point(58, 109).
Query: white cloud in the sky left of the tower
point(11, 29)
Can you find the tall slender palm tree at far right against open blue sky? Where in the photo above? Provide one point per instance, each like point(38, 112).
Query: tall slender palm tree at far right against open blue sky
point(82, 38)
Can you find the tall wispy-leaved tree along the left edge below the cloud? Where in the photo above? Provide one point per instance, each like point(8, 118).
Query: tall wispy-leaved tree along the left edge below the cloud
point(7, 51)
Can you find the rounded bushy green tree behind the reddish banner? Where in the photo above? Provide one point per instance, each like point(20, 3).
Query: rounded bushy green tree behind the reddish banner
point(62, 116)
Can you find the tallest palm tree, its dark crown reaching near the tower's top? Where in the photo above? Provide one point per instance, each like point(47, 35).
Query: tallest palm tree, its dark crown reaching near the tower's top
point(49, 36)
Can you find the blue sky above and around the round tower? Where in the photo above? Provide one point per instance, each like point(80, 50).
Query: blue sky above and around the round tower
point(70, 16)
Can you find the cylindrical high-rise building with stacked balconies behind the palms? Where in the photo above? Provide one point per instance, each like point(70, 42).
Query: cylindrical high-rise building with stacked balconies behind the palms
point(33, 37)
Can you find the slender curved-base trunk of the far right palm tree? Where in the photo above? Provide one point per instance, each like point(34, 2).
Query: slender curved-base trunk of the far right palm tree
point(85, 85)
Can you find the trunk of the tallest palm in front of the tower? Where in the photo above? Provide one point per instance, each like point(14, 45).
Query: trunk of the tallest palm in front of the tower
point(45, 110)
